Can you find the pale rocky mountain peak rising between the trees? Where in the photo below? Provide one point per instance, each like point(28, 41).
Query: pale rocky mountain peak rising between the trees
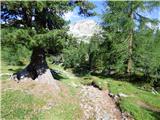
point(84, 29)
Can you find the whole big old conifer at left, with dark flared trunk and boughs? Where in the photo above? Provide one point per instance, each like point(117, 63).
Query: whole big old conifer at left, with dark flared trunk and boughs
point(39, 25)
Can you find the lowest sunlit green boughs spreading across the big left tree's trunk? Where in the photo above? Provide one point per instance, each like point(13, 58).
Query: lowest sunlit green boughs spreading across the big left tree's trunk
point(29, 38)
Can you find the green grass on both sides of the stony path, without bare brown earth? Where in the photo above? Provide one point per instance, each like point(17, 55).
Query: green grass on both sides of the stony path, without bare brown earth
point(21, 105)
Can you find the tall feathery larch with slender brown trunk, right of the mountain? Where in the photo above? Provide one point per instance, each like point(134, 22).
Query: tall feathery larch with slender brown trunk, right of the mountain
point(121, 22)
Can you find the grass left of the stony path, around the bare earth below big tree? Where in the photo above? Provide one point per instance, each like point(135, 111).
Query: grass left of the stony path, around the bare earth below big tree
point(22, 104)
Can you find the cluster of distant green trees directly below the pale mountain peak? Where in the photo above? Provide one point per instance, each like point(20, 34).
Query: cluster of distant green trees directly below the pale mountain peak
point(84, 56)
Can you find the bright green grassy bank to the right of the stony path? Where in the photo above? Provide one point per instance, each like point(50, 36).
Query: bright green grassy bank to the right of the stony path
point(151, 108)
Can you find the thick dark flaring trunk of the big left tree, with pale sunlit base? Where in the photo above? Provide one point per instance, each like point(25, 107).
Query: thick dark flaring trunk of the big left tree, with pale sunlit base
point(38, 69)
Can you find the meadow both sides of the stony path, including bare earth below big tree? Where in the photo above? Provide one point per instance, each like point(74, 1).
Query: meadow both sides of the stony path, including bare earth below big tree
point(30, 101)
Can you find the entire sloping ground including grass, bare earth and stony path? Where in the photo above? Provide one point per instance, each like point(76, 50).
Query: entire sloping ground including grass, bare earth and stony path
point(80, 98)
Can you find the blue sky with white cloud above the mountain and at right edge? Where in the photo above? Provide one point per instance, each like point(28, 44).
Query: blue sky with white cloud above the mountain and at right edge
point(100, 6)
